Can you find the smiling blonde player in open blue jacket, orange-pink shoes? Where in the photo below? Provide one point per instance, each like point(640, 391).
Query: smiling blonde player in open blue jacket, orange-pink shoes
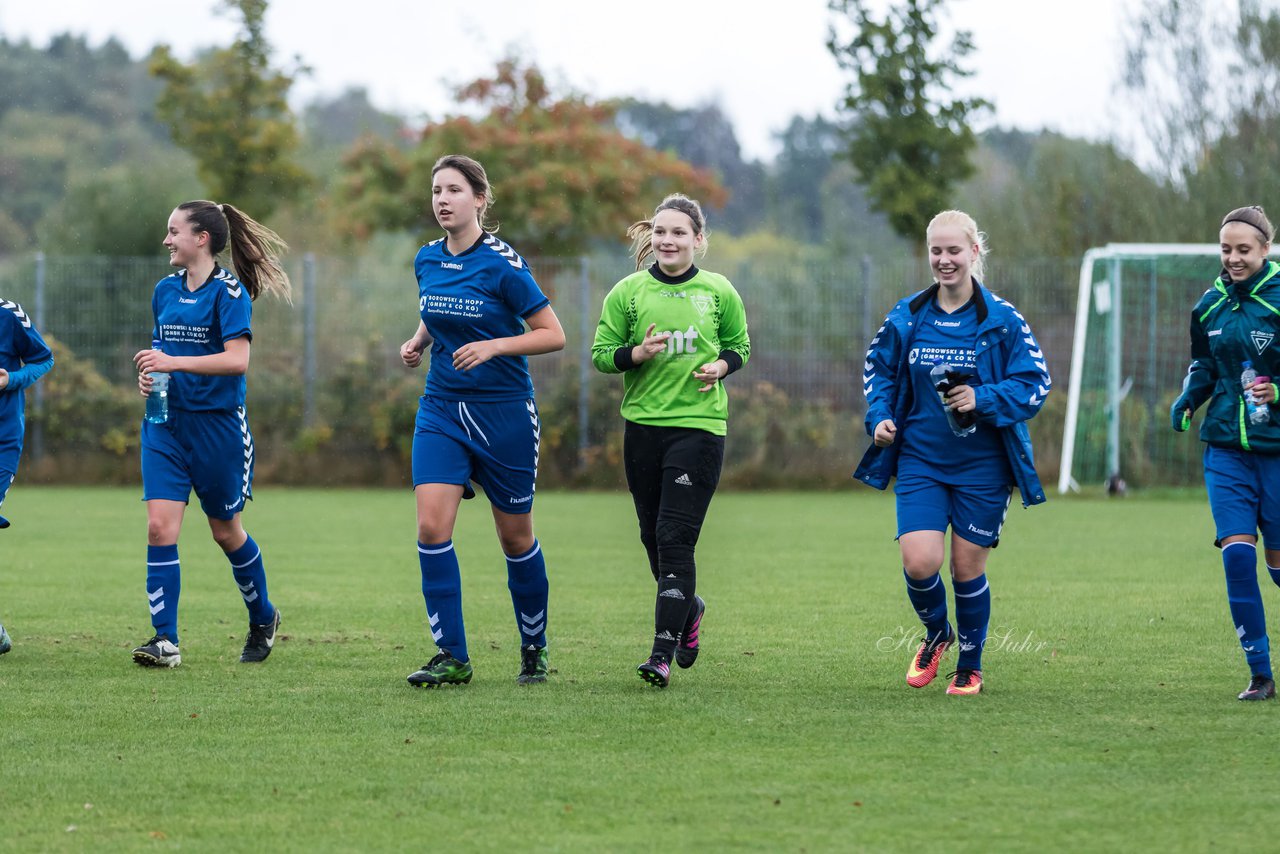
point(952, 380)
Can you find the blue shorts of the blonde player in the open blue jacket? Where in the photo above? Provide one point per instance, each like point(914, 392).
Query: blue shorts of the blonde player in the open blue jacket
point(975, 514)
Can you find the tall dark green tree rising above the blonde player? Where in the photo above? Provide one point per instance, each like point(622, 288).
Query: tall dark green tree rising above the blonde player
point(908, 140)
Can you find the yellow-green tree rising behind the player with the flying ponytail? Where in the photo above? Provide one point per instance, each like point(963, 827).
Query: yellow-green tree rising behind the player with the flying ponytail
point(230, 111)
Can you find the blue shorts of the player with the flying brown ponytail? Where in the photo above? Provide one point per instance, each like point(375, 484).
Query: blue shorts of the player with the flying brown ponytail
point(211, 453)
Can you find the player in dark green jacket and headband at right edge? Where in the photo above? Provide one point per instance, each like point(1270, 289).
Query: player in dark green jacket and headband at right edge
point(1237, 322)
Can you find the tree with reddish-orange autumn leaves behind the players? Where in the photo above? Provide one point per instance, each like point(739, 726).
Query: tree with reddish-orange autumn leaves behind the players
point(564, 175)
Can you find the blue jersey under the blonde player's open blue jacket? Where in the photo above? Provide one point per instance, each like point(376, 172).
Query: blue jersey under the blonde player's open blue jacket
point(932, 444)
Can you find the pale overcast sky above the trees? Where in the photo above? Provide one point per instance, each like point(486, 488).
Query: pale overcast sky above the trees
point(1044, 63)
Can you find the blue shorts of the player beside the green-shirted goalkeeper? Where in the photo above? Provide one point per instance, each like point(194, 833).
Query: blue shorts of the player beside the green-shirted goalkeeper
point(496, 445)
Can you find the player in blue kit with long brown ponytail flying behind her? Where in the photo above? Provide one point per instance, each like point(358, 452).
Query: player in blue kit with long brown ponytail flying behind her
point(203, 326)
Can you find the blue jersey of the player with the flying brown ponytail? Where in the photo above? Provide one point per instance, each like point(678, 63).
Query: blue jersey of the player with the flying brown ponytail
point(199, 323)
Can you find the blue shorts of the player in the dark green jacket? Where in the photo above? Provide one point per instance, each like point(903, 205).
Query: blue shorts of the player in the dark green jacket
point(1244, 494)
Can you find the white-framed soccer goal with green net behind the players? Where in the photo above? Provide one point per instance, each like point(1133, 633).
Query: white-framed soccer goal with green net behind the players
point(1130, 355)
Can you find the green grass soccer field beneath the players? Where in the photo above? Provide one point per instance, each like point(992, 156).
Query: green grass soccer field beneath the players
point(1109, 721)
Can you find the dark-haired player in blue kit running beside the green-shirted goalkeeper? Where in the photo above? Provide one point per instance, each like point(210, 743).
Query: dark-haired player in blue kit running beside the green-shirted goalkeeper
point(483, 313)
